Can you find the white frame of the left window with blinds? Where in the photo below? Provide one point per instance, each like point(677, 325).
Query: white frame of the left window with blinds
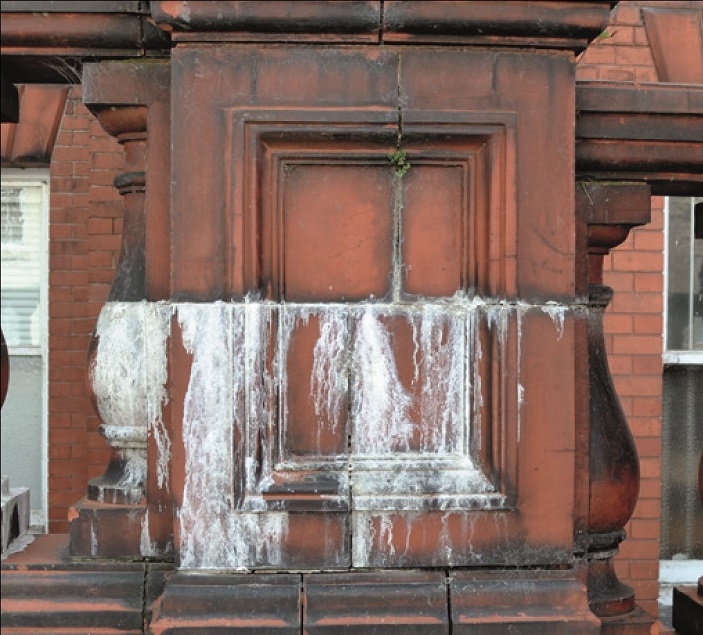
point(40, 177)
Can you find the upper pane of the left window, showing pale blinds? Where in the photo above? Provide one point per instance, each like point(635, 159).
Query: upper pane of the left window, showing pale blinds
point(21, 263)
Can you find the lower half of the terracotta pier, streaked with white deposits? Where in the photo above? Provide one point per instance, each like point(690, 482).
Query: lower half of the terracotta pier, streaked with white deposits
point(406, 457)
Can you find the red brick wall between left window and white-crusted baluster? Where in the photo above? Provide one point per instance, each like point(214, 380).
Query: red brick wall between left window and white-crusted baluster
point(84, 237)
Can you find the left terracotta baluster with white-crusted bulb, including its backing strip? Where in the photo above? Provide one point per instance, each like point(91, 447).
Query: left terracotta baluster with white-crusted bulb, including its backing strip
point(122, 514)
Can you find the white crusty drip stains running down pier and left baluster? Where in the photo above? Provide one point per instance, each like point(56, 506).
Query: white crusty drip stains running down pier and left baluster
point(415, 416)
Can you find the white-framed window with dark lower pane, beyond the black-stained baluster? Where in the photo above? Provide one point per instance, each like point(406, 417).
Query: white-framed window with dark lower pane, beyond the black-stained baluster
point(682, 434)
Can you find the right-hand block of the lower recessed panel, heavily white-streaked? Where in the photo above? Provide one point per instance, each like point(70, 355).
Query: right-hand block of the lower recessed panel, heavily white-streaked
point(419, 358)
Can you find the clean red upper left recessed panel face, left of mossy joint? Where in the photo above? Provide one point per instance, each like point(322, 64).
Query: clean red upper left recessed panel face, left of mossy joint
point(337, 232)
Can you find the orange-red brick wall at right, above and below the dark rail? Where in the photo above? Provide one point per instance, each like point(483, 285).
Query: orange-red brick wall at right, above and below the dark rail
point(633, 322)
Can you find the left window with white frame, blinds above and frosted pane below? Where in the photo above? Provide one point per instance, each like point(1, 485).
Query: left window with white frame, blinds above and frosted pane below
point(24, 230)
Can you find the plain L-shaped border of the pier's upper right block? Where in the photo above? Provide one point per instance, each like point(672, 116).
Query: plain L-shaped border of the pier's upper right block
point(492, 86)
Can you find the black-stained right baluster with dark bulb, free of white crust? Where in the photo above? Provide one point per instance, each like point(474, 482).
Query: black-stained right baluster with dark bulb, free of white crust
point(609, 211)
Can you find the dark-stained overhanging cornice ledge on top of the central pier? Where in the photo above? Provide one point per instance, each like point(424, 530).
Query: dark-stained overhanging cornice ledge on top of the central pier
point(555, 24)
